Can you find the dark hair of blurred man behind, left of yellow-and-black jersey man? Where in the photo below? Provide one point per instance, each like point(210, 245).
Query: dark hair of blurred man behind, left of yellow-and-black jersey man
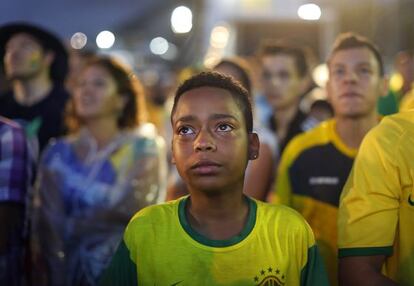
point(275, 48)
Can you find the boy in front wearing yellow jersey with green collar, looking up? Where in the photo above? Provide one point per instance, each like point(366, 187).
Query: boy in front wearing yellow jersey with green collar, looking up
point(216, 235)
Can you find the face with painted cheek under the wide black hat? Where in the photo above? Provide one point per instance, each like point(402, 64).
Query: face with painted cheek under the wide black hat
point(24, 57)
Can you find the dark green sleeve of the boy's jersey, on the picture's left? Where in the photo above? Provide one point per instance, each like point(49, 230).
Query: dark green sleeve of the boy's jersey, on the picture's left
point(122, 271)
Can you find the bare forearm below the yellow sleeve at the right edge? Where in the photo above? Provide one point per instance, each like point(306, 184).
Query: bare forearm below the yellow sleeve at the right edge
point(363, 270)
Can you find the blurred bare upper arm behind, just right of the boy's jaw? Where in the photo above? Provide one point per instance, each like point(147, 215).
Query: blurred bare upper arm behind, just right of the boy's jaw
point(259, 175)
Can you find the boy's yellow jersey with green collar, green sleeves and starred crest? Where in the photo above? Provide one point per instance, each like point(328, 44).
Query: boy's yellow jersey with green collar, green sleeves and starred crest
point(276, 247)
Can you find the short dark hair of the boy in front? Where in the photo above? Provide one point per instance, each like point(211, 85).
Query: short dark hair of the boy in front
point(218, 80)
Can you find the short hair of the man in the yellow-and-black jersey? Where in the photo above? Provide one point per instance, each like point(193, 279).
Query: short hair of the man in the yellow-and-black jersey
point(351, 40)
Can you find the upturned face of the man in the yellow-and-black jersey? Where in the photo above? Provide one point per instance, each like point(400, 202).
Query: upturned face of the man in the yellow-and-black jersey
point(355, 83)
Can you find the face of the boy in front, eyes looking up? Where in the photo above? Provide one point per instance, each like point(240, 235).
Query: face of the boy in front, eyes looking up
point(210, 143)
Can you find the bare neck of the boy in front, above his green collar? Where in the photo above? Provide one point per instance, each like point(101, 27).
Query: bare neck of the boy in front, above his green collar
point(217, 217)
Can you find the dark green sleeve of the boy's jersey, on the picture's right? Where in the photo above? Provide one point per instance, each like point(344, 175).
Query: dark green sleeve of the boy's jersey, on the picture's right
point(314, 272)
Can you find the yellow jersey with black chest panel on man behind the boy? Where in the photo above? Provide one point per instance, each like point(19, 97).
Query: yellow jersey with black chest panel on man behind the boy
point(312, 172)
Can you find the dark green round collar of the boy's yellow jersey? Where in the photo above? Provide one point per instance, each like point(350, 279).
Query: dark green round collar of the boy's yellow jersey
point(251, 221)
